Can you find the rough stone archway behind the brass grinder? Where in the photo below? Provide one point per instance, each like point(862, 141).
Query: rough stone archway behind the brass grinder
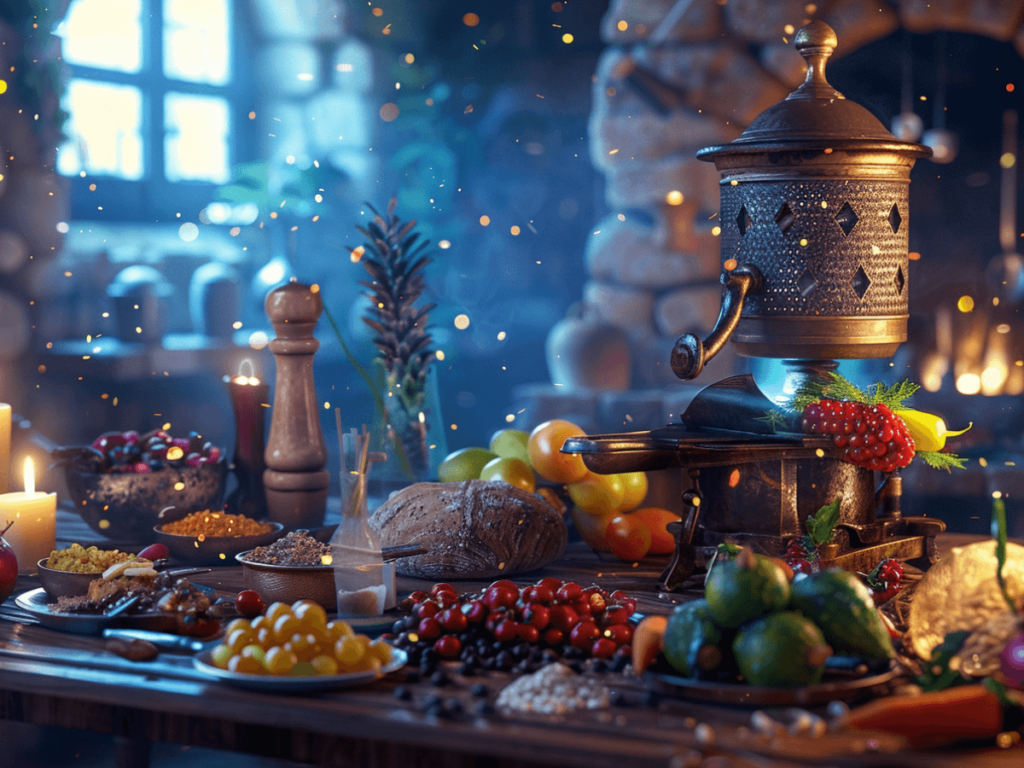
point(660, 95)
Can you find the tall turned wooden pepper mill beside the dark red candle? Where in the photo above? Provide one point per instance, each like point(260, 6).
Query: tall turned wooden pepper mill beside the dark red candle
point(295, 481)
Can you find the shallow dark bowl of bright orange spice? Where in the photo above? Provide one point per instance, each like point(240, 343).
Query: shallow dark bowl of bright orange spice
point(214, 538)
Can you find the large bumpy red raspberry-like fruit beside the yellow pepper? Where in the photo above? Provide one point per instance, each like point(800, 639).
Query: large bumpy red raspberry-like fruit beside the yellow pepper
point(873, 437)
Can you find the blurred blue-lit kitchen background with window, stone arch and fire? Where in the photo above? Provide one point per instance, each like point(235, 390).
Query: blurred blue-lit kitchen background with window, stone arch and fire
point(165, 163)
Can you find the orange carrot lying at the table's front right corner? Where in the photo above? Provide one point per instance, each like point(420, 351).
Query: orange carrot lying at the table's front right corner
point(960, 714)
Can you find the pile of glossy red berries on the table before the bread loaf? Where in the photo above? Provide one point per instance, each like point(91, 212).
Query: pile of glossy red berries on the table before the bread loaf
point(552, 614)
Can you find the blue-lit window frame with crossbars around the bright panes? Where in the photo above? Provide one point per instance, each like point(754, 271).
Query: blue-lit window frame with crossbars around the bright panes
point(154, 198)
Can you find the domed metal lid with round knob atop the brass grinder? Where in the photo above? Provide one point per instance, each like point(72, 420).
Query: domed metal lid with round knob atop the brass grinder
point(816, 113)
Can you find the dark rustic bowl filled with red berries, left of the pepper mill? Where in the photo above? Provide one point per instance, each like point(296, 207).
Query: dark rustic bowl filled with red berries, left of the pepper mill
point(125, 483)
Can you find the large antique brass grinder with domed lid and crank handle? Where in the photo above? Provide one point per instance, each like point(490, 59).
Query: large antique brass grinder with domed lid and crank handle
point(815, 267)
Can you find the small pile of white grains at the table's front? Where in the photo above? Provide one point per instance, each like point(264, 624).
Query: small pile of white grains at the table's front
point(554, 690)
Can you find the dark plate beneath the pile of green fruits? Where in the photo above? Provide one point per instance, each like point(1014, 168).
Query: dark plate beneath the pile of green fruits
point(757, 696)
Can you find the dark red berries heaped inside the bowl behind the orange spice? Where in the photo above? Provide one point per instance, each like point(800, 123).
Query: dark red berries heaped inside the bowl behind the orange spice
point(130, 452)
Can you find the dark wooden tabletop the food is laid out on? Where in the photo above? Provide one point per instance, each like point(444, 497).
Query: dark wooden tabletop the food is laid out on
point(52, 678)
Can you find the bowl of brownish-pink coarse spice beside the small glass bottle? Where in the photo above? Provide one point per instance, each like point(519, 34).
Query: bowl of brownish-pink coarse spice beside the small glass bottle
point(294, 568)
